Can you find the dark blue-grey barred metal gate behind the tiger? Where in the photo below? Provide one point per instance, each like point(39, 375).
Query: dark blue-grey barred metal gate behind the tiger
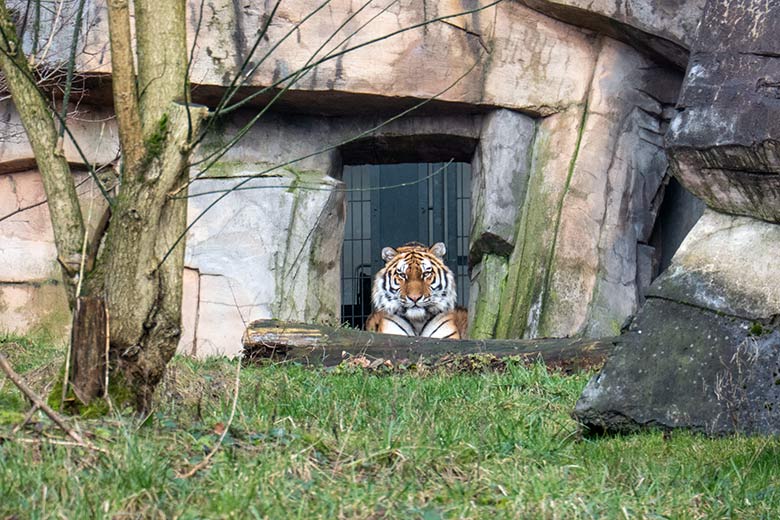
point(392, 204)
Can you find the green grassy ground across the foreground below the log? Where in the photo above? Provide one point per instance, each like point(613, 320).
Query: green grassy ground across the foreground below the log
point(347, 443)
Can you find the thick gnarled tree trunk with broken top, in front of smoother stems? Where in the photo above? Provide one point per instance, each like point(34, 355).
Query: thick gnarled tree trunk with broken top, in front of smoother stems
point(143, 293)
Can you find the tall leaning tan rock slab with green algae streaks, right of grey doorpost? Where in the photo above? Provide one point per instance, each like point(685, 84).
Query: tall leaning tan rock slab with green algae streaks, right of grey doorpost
point(590, 204)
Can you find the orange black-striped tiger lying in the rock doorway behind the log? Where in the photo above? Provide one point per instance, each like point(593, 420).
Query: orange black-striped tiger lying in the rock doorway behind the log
point(415, 294)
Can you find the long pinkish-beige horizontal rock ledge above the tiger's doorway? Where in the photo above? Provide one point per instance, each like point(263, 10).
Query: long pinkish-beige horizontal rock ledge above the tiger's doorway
point(418, 63)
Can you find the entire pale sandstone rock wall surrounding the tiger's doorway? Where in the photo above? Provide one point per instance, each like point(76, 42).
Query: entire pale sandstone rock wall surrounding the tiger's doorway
point(562, 125)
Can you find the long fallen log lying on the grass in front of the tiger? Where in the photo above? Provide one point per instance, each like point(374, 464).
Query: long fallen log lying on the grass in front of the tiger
point(328, 346)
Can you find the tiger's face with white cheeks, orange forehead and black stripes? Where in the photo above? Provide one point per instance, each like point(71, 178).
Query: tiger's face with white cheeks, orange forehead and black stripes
point(415, 283)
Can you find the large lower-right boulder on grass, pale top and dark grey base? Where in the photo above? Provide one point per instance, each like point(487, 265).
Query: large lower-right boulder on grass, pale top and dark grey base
point(704, 352)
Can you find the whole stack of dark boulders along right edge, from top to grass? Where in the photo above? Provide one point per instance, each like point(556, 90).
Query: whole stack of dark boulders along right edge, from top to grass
point(704, 351)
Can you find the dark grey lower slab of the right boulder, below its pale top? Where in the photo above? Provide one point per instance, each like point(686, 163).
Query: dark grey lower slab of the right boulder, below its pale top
point(685, 367)
